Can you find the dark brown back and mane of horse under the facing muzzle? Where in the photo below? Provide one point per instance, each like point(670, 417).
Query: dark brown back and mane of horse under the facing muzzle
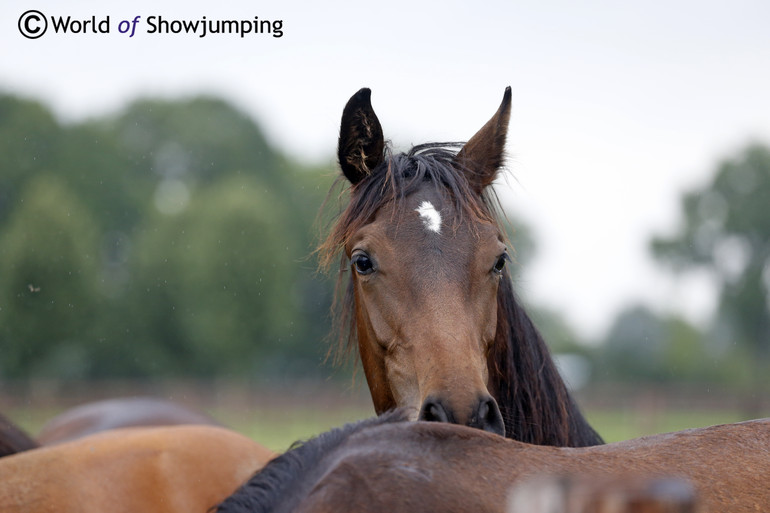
point(387, 465)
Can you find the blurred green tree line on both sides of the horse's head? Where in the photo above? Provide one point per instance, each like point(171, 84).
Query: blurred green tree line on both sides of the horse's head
point(170, 239)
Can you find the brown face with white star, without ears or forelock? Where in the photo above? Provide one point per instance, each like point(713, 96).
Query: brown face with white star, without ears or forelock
point(425, 285)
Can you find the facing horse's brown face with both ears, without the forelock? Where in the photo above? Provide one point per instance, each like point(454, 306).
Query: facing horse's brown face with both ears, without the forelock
point(425, 276)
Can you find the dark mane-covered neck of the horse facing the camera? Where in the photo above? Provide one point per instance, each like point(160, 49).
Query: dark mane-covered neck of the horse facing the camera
point(536, 406)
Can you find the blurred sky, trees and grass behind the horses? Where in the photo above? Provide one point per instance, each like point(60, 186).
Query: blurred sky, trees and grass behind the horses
point(160, 199)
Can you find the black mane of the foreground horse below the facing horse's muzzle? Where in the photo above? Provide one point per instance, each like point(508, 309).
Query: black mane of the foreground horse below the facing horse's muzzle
point(280, 485)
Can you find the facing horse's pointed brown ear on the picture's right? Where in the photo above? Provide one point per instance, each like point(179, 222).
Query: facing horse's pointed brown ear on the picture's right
point(482, 156)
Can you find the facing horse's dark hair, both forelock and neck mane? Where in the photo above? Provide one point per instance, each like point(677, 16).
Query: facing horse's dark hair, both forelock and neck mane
point(533, 399)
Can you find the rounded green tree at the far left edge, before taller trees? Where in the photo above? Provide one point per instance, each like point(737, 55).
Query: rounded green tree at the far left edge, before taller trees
point(48, 282)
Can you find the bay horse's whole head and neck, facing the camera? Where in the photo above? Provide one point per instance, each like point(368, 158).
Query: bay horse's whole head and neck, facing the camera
point(429, 303)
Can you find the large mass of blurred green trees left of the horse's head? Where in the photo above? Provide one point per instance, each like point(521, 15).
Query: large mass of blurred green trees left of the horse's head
point(168, 239)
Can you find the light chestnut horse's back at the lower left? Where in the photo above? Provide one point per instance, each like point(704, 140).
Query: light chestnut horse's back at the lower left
point(167, 469)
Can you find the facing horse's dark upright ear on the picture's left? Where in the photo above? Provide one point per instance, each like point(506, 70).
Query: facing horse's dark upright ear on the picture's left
point(361, 146)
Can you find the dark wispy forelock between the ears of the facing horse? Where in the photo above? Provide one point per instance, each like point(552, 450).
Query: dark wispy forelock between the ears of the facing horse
point(434, 165)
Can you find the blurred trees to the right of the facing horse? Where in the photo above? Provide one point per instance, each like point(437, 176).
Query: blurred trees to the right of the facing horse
point(723, 234)
